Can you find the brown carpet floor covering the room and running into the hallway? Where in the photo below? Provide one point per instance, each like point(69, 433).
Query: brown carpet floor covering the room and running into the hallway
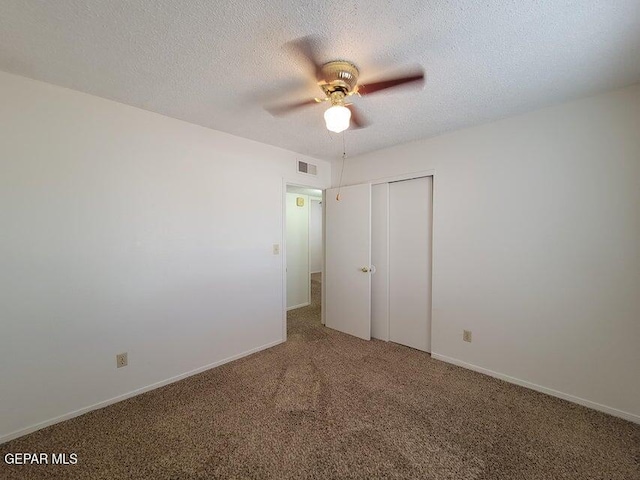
point(328, 406)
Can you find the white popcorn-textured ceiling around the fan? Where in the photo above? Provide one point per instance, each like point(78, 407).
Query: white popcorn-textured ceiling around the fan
point(216, 63)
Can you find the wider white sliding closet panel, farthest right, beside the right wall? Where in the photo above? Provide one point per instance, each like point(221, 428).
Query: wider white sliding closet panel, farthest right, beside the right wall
point(410, 220)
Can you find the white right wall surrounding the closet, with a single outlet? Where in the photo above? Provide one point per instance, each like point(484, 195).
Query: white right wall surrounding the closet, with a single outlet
point(537, 246)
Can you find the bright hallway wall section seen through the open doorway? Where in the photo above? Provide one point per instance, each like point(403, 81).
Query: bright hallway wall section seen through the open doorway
point(298, 280)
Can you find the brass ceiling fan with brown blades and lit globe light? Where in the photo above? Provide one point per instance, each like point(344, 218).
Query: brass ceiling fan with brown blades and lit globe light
point(338, 80)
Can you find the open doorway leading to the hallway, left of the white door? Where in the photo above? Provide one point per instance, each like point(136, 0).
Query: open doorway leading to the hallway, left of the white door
point(304, 256)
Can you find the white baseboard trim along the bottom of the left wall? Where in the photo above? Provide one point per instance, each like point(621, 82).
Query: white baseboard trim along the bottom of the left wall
point(76, 413)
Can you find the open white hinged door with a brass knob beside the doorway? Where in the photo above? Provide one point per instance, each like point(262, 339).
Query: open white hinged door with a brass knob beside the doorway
point(348, 253)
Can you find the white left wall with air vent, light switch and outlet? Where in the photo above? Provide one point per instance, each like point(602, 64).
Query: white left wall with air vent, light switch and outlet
point(127, 231)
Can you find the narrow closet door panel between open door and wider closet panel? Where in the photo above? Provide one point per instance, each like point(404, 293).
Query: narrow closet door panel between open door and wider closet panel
point(379, 258)
